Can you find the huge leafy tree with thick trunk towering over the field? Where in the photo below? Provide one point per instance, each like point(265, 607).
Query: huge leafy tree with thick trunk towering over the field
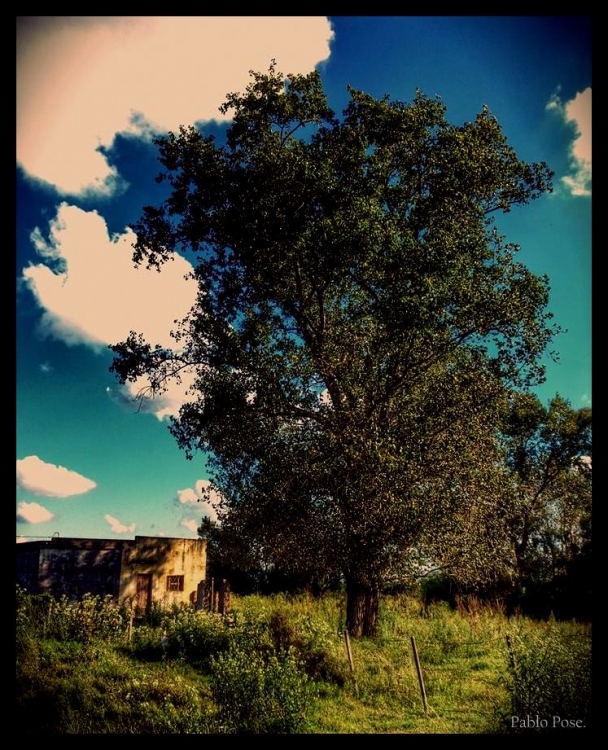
point(358, 320)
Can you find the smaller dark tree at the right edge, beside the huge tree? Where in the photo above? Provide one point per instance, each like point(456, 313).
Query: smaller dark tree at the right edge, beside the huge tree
point(548, 493)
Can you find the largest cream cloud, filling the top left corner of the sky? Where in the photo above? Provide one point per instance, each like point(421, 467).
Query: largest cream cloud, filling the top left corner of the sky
point(81, 80)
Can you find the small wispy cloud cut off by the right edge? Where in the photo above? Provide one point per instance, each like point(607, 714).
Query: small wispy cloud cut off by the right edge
point(577, 114)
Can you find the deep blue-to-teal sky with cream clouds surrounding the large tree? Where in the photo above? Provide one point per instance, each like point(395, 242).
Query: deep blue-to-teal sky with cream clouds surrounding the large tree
point(92, 92)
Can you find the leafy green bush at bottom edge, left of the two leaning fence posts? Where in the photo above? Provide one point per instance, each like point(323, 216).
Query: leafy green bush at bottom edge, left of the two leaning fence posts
point(259, 693)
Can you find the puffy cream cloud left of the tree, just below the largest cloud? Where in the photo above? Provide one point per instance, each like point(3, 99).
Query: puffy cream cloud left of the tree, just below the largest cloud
point(92, 293)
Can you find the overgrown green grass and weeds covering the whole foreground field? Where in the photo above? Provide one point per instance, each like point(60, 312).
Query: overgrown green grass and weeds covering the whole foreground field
point(279, 664)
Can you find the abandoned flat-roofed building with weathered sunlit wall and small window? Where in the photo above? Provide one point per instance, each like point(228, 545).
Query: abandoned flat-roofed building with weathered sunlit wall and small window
point(134, 572)
